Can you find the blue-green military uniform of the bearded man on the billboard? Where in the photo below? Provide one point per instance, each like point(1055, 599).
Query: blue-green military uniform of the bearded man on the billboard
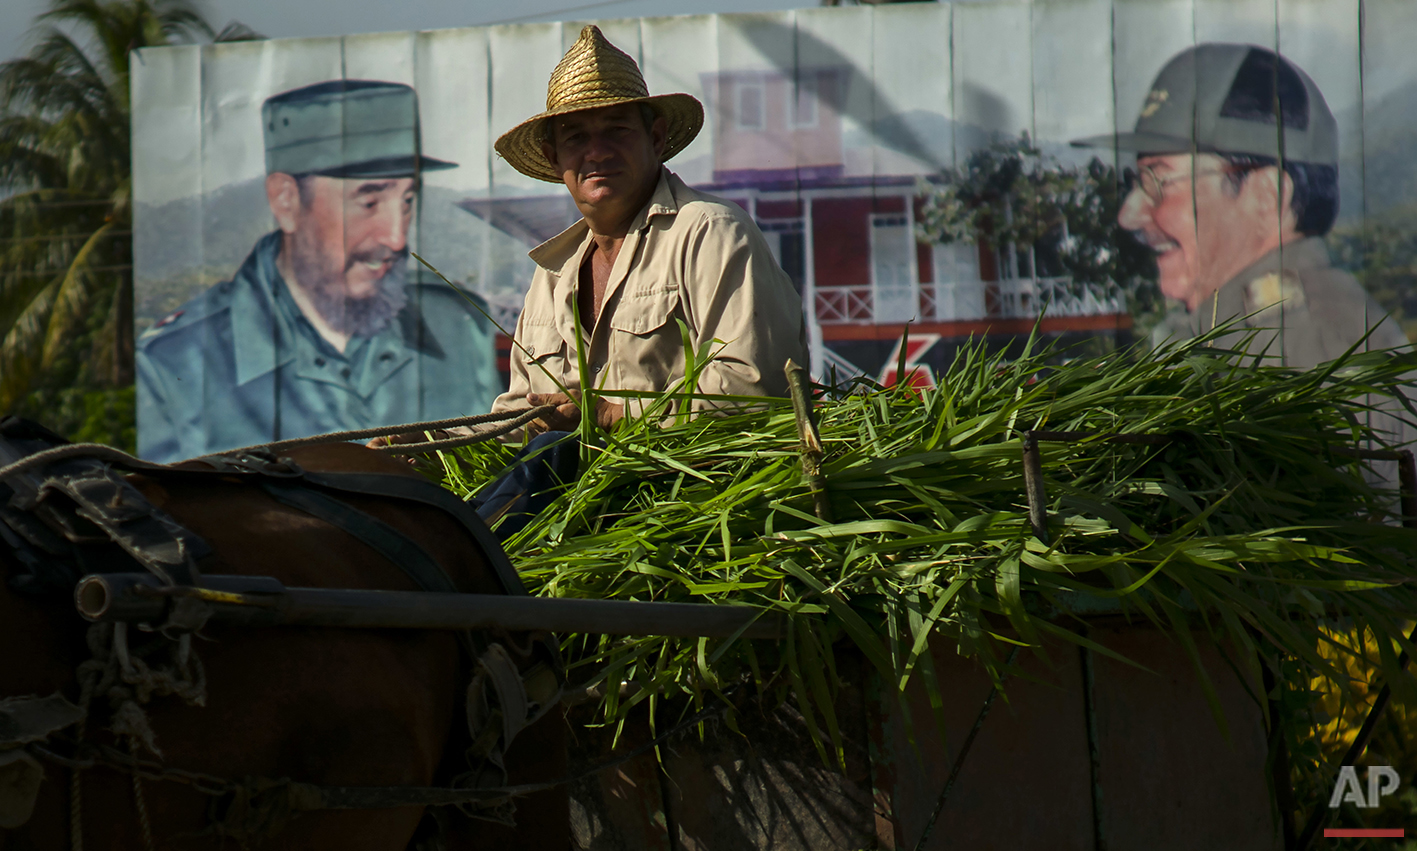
point(240, 365)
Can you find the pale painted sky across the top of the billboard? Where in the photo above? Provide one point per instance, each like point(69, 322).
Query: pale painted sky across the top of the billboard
point(1058, 70)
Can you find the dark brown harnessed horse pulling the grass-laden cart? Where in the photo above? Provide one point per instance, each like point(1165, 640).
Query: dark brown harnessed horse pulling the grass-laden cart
point(328, 707)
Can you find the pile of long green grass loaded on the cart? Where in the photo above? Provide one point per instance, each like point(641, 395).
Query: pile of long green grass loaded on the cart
point(1248, 516)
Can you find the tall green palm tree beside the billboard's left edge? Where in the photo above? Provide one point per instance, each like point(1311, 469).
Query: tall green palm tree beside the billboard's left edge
point(66, 215)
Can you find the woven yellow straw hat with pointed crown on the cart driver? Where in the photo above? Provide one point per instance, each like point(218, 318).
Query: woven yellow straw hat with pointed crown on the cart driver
point(593, 74)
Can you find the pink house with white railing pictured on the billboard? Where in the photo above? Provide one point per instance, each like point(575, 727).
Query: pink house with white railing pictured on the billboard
point(849, 241)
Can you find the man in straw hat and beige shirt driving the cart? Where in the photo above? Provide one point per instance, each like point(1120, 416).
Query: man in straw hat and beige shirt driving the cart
point(648, 256)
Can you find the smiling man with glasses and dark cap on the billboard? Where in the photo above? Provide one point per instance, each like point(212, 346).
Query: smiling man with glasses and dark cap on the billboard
point(1236, 186)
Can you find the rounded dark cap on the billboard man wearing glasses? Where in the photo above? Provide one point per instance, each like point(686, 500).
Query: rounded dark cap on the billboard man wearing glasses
point(1232, 98)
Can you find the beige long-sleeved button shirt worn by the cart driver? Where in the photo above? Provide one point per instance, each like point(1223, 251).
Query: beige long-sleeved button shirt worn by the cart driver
point(689, 257)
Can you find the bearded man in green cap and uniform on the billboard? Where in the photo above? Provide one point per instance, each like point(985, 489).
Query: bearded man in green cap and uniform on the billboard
point(321, 329)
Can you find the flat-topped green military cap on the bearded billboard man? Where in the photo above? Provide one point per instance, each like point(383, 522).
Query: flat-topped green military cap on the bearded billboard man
point(346, 128)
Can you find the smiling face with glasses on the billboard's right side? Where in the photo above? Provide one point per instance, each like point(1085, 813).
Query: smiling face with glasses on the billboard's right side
point(1204, 230)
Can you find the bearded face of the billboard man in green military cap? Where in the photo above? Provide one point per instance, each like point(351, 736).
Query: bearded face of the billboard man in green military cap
point(351, 249)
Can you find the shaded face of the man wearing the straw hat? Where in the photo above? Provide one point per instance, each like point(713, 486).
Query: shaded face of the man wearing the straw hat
point(609, 158)
